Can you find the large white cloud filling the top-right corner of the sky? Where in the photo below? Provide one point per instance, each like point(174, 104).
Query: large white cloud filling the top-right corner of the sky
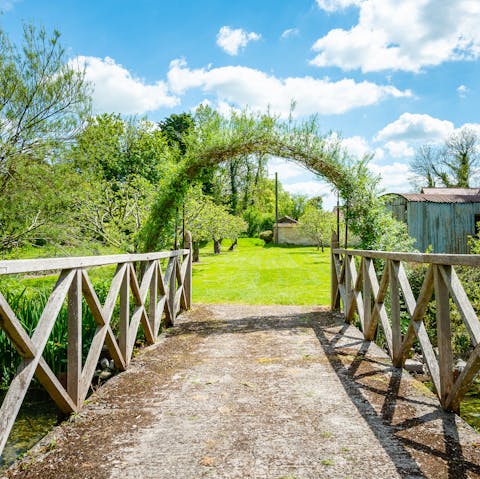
point(406, 35)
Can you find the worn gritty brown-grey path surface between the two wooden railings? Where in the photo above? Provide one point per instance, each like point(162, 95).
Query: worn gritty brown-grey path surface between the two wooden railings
point(259, 392)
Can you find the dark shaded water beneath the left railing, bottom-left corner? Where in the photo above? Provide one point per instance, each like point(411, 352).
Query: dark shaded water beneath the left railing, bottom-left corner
point(37, 417)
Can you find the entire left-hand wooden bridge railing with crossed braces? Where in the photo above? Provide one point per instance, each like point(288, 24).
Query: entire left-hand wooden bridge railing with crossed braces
point(155, 293)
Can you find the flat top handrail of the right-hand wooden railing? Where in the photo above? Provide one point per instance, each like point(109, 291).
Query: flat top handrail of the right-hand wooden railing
point(426, 258)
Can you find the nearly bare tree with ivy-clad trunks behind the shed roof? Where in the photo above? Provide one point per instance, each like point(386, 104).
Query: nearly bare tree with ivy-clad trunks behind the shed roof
point(452, 165)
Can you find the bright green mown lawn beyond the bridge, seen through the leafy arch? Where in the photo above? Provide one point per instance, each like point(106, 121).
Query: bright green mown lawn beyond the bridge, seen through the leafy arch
point(258, 274)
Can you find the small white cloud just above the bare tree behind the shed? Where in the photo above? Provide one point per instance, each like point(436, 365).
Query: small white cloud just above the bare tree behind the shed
point(415, 127)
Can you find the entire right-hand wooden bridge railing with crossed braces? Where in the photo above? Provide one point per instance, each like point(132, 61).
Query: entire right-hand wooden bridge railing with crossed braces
point(363, 294)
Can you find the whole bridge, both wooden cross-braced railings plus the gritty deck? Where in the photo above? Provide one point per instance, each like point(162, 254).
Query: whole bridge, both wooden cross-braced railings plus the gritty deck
point(249, 391)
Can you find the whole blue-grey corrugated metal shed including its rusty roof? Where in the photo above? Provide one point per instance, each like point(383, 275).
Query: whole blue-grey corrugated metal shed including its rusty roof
point(442, 220)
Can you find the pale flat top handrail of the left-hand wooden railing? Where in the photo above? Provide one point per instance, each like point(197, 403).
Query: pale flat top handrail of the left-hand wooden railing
point(17, 266)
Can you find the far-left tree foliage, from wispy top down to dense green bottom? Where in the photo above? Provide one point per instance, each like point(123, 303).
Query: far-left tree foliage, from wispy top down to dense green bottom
point(43, 100)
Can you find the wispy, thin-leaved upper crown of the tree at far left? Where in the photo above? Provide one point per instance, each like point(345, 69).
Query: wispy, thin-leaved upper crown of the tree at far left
point(43, 99)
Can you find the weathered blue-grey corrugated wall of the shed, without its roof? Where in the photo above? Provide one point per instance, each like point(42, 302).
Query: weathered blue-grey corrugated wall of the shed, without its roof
point(444, 226)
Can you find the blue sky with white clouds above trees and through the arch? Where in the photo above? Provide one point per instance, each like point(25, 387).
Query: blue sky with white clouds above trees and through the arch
point(387, 75)
